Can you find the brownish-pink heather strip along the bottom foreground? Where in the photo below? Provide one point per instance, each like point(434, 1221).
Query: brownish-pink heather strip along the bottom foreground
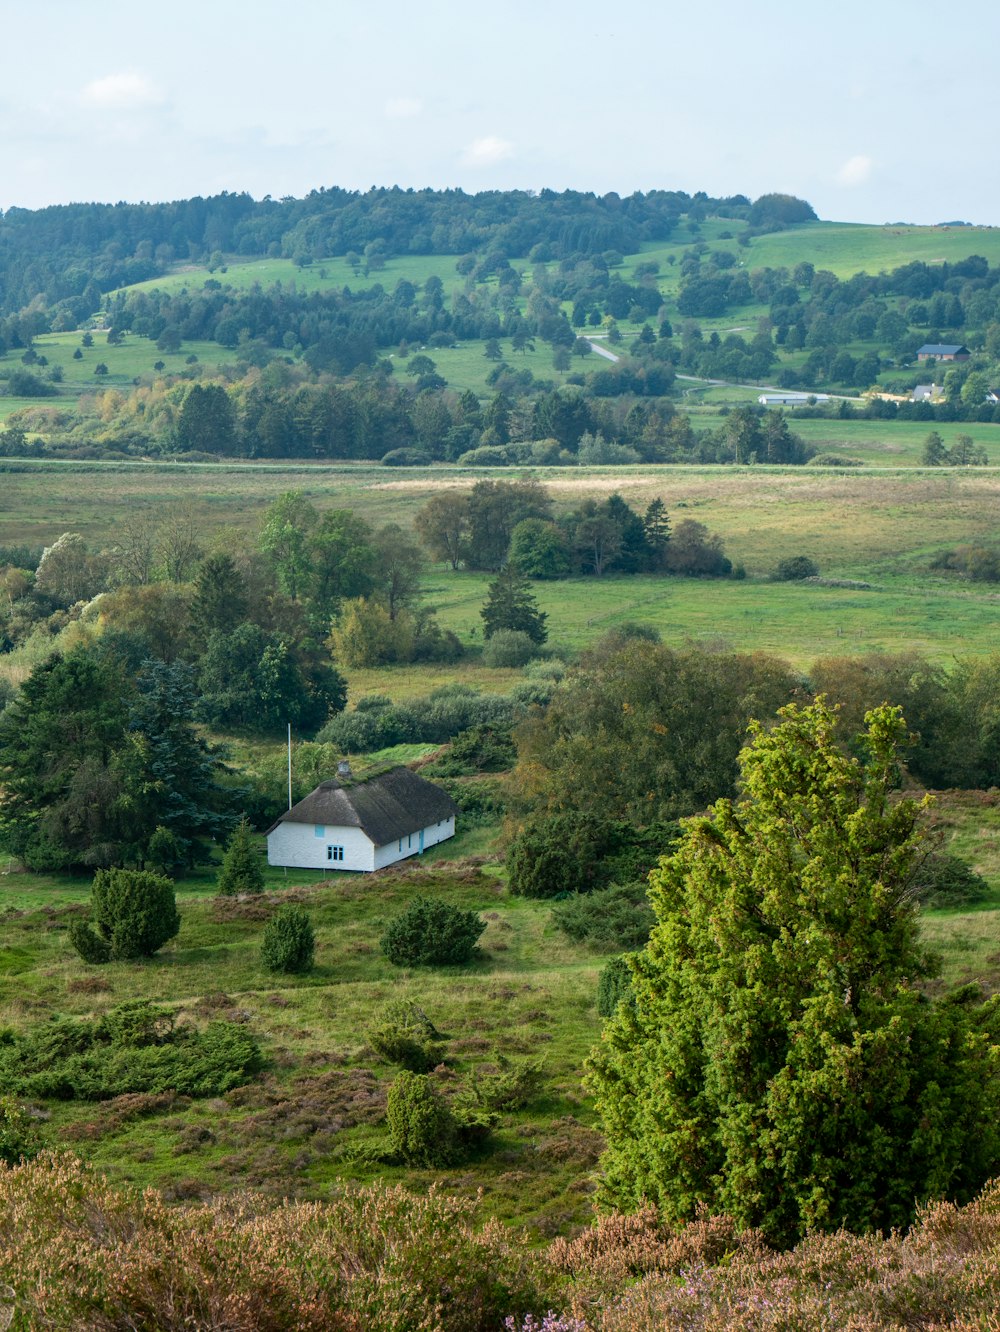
point(81, 1254)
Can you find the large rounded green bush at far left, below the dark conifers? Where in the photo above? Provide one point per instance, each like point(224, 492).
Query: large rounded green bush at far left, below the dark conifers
point(134, 914)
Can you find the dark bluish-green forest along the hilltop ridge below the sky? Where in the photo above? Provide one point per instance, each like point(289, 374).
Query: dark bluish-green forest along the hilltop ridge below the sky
point(69, 256)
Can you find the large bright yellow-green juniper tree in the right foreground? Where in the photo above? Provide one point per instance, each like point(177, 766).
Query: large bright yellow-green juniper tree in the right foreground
point(780, 1062)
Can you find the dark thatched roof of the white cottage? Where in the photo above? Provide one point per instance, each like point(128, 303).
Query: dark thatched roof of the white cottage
point(385, 808)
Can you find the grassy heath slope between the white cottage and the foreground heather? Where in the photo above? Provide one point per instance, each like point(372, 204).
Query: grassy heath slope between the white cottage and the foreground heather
point(296, 1129)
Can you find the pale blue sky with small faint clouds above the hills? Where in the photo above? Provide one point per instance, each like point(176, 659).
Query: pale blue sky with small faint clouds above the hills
point(878, 111)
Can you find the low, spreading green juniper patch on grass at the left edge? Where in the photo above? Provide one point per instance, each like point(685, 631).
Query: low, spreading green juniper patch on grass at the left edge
point(136, 1048)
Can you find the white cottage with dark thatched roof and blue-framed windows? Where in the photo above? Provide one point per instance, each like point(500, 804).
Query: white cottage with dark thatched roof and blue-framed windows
point(359, 824)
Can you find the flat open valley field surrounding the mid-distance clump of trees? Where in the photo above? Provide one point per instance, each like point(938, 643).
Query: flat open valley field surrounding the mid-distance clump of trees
point(878, 527)
